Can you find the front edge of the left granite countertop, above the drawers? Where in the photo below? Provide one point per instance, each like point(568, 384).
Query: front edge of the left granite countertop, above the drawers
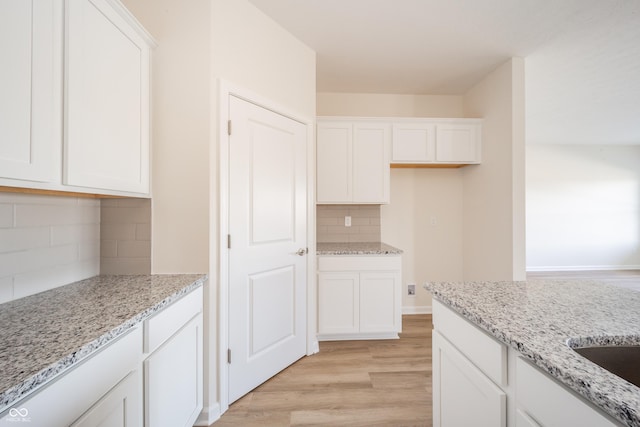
point(36, 381)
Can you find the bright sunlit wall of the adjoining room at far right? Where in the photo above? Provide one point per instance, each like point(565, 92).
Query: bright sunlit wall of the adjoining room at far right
point(583, 207)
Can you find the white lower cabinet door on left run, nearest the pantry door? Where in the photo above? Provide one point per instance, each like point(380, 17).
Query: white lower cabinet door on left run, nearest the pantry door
point(173, 379)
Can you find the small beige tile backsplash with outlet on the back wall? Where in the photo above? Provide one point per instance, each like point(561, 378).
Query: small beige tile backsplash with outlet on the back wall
point(330, 223)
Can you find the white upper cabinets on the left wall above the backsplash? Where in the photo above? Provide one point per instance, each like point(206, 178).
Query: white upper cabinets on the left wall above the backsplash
point(100, 122)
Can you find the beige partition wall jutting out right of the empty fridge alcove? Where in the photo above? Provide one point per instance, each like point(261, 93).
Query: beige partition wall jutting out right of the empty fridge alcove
point(493, 219)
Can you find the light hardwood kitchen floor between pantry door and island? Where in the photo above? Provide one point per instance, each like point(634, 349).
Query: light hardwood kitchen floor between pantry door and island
point(348, 383)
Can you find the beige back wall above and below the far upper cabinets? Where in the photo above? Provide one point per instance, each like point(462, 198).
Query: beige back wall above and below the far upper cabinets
point(431, 252)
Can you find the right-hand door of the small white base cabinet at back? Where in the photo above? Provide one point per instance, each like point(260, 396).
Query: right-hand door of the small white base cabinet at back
point(380, 302)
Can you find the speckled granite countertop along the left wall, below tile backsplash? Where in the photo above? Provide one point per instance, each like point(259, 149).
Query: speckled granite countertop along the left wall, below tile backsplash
point(45, 334)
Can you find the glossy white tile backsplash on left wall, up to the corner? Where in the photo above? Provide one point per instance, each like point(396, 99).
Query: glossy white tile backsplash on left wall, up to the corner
point(46, 242)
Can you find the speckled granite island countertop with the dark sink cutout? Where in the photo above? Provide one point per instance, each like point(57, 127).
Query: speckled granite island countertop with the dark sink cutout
point(537, 318)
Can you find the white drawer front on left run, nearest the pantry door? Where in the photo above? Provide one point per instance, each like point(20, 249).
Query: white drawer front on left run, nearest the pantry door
point(163, 325)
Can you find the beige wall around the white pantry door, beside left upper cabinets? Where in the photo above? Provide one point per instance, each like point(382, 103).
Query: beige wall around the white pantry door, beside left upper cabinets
point(200, 42)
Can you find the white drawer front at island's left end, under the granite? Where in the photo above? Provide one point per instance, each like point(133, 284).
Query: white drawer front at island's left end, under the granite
point(488, 354)
